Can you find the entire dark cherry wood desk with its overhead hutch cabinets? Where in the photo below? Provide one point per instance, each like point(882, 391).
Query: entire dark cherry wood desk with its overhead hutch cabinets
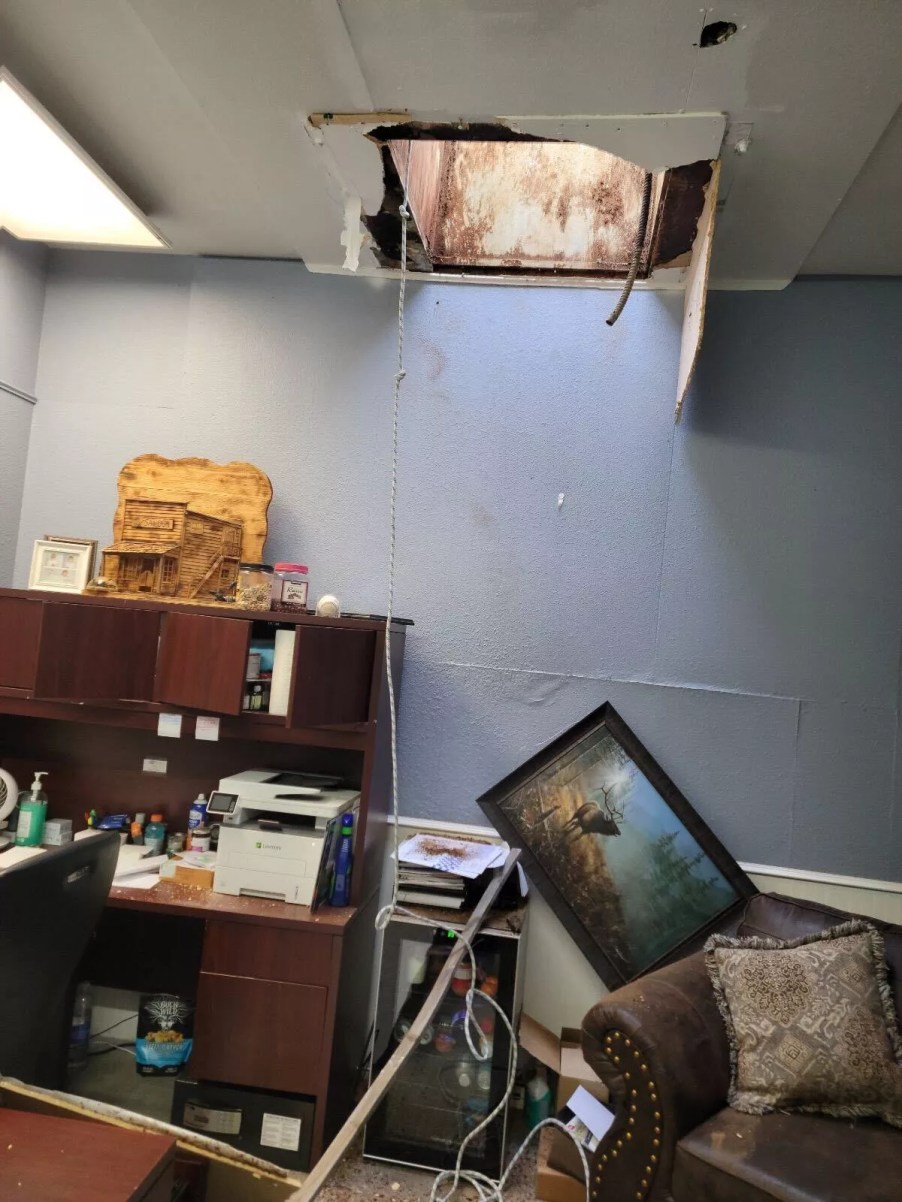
point(282, 995)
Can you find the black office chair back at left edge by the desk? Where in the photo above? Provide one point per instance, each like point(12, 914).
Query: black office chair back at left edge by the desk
point(50, 907)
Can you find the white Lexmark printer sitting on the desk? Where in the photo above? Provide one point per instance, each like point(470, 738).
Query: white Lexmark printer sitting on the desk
point(272, 835)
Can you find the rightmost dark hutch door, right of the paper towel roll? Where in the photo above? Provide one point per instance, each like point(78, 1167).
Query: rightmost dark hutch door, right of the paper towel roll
point(334, 676)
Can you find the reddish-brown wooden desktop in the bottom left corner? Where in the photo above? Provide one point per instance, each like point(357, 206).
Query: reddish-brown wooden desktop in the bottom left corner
point(50, 1159)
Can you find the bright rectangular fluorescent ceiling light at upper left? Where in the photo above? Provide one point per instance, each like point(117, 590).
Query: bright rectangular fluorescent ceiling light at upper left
point(51, 191)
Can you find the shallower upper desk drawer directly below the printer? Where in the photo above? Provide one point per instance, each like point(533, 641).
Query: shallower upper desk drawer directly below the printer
point(269, 954)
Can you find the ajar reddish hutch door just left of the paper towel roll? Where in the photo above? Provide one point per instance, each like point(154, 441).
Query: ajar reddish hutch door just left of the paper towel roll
point(203, 663)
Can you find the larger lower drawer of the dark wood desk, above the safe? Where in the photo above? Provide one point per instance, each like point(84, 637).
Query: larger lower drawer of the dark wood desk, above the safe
point(265, 1034)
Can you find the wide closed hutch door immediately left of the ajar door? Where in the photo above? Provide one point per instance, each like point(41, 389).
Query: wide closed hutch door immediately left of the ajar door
point(97, 653)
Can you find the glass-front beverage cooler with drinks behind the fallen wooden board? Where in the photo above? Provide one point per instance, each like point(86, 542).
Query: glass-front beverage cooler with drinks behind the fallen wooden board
point(443, 1092)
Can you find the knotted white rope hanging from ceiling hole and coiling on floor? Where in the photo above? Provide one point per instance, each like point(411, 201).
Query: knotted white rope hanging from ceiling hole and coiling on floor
point(488, 1189)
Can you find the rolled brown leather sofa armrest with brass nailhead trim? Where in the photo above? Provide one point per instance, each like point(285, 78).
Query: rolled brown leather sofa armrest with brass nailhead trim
point(661, 1048)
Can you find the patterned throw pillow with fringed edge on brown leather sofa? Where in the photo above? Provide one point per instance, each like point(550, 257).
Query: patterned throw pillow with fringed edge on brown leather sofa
point(811, 1024)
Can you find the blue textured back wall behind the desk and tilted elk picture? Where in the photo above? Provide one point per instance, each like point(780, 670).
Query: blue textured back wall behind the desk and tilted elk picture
point(733, 586)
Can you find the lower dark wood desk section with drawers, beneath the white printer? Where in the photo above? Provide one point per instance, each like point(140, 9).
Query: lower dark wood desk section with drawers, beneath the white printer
point(274, 986)
